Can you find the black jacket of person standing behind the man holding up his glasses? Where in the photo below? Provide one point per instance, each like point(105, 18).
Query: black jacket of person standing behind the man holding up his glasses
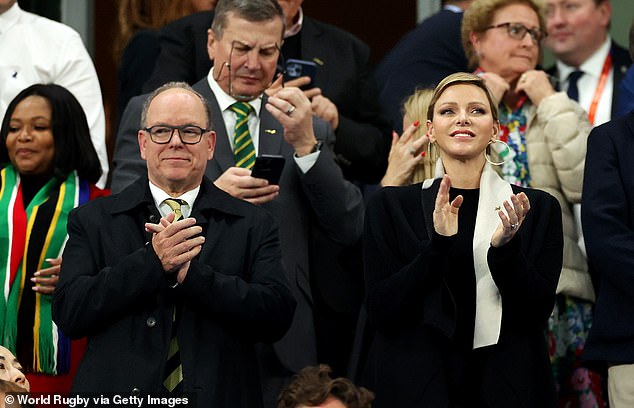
point(343, 74)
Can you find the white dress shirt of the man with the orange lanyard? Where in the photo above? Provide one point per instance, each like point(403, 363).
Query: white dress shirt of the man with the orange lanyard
point(587, 83)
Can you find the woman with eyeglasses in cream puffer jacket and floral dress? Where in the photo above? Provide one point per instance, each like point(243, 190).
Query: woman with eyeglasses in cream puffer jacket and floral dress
point(545, 135)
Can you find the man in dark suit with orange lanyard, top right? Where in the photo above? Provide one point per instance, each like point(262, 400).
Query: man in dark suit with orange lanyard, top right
point(590, 65)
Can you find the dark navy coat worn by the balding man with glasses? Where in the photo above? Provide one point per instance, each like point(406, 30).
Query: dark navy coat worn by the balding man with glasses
point(114, 291)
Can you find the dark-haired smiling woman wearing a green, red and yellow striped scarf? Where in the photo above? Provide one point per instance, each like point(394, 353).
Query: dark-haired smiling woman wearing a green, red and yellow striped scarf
point(48, 167)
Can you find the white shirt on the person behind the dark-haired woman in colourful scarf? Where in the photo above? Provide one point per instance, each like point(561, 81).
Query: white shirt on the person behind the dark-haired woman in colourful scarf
point(34, 49)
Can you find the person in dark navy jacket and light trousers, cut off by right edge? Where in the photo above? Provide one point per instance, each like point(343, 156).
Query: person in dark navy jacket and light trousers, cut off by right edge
point(608, 225)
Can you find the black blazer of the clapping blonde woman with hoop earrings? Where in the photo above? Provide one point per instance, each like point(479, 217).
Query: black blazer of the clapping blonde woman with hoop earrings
point(411, 305)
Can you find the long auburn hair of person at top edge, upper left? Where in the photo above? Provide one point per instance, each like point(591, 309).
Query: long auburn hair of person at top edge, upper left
point(137, 15)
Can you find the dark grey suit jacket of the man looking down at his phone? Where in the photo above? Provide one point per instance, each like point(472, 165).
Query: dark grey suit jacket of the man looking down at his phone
point(319, 200)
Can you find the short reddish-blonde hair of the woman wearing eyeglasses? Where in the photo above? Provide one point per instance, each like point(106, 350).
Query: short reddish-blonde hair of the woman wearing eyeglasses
point(479, 16)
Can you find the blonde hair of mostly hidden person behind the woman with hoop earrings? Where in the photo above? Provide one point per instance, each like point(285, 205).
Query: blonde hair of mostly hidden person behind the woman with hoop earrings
point(415, 108)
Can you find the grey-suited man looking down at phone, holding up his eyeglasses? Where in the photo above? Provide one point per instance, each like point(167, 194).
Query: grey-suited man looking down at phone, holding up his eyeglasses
point(312, 195)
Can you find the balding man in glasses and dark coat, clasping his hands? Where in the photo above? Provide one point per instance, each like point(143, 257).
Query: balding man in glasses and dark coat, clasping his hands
point(173, 281)
